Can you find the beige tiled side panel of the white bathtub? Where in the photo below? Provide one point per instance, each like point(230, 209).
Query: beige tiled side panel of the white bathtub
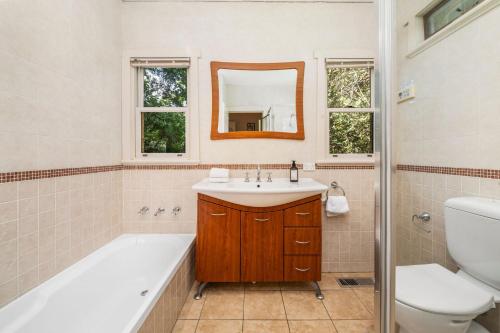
point(163, 316)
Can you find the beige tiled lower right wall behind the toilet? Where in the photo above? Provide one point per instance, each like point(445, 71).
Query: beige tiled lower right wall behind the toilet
point(417, 192)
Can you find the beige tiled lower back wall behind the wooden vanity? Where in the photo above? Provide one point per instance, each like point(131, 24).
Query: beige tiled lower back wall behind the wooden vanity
point(347, 240)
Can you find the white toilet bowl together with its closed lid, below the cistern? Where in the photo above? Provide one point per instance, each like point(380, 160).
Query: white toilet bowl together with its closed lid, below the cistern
point(431, 299)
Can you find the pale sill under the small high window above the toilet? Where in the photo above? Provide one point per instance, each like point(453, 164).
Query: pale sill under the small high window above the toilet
point(456, 25)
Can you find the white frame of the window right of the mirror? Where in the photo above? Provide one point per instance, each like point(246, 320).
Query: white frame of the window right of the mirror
point(323, 133)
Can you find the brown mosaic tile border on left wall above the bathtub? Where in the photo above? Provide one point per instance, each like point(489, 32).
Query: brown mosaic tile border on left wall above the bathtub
point(8, 177)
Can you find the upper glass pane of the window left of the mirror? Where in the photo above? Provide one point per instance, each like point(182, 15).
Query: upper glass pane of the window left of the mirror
point(165, 87)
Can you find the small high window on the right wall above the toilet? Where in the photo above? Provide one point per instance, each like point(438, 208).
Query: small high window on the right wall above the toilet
point(446, 12)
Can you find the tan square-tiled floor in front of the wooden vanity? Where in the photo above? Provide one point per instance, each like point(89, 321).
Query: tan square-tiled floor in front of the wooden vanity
point(279, 308)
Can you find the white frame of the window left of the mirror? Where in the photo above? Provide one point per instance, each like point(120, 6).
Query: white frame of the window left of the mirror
point(132, 105)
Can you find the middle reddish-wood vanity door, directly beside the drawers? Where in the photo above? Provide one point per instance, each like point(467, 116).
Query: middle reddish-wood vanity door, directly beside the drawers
point(262, 246)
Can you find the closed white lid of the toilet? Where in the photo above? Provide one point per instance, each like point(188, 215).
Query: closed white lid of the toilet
point(433, 288)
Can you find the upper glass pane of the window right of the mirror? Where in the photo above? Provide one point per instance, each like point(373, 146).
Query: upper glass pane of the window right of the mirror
point(349, 87)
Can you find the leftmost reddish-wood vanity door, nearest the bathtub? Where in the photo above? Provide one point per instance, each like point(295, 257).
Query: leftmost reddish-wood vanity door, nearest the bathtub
point(218, 243)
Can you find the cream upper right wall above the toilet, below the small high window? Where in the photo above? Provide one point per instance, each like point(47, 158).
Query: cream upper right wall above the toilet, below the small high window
point(455, 119)
